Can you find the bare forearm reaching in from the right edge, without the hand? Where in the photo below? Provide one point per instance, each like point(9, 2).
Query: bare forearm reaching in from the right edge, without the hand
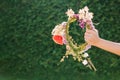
point(109, 46)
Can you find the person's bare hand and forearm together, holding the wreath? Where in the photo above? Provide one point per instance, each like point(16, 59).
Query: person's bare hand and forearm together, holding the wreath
point(92, 38)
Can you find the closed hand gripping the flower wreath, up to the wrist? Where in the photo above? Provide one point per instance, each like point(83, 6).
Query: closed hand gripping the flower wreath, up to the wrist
point(92, 37)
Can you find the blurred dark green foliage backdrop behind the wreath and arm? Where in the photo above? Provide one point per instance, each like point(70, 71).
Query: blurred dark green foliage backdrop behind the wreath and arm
point(27, 51)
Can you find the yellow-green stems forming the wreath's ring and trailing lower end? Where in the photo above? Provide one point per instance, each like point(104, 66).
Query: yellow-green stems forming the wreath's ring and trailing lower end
point(76, 49)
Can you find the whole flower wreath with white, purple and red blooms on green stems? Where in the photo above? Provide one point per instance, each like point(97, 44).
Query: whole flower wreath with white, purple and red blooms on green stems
point(61, 36)
